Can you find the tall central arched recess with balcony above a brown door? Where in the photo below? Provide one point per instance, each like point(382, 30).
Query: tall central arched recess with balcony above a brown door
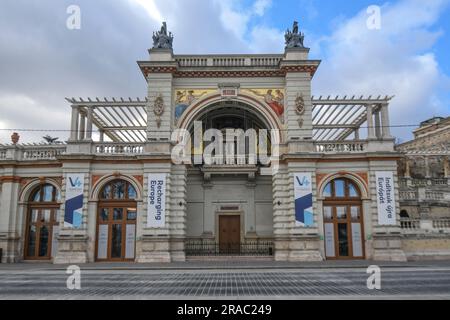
point(229, 203)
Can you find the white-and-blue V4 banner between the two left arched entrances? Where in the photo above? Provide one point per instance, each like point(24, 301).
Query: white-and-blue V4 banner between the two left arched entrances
point(73, 209)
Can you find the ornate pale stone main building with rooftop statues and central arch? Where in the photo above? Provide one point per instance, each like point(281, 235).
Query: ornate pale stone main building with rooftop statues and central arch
point(322, 184)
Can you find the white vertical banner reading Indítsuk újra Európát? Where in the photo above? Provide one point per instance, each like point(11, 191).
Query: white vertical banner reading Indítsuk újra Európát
point(386, 199)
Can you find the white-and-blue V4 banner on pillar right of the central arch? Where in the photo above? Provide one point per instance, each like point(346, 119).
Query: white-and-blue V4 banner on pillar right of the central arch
point(304, 215)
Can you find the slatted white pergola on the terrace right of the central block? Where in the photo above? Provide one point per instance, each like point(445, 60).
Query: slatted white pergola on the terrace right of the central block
point(336, 119)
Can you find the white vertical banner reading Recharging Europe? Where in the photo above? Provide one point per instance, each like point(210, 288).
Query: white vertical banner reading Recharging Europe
point(156, 212)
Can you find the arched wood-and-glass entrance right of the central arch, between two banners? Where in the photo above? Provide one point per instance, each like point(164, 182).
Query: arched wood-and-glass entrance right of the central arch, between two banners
point(343, 220)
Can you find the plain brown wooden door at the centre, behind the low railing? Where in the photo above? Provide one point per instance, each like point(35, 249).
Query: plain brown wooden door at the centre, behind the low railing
point(230, 234)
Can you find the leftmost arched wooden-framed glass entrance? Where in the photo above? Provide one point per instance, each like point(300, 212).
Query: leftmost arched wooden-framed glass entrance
point(42, 224)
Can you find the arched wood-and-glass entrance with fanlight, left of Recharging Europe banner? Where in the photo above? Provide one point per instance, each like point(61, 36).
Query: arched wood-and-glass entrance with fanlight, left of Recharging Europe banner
point(116, 222)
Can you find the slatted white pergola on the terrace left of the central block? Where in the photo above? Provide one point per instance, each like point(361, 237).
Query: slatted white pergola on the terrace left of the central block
point(119, 120)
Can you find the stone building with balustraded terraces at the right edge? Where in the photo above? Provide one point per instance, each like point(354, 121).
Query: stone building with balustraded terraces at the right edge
point(424, 173)
